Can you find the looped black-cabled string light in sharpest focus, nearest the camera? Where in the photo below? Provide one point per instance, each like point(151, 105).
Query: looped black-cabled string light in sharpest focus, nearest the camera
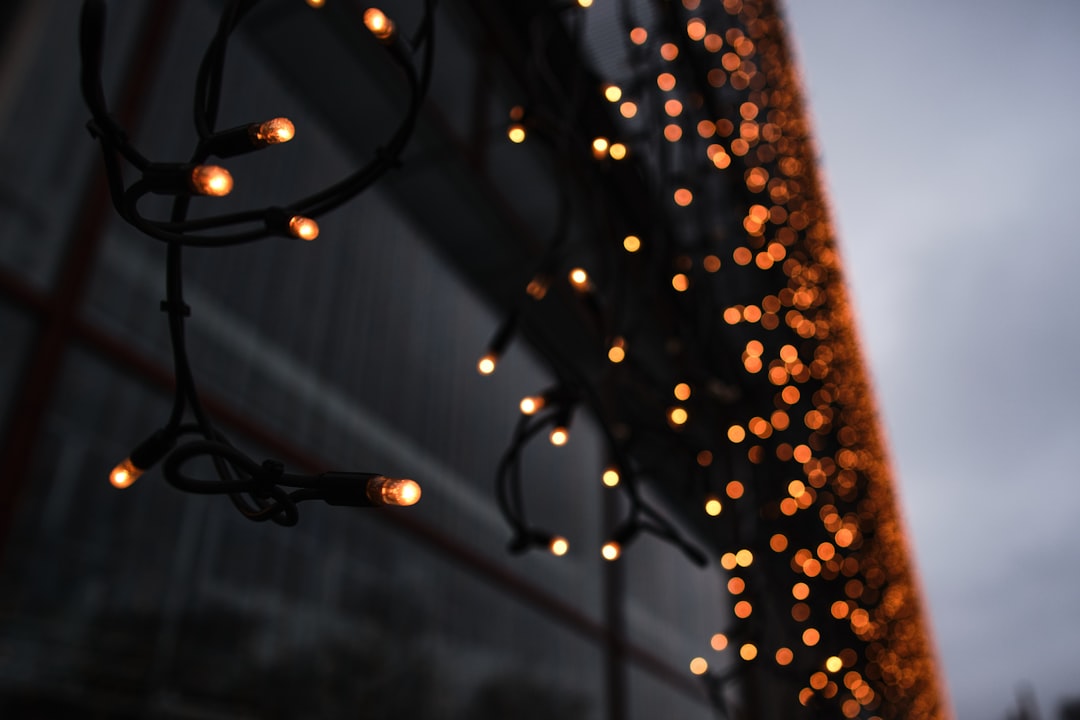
point(260, 492)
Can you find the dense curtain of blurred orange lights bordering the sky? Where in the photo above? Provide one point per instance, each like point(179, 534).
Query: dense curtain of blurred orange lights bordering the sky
point(713, 110)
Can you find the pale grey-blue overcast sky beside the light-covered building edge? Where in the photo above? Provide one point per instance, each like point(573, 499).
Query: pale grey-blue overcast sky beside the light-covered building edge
point(950, 138)
